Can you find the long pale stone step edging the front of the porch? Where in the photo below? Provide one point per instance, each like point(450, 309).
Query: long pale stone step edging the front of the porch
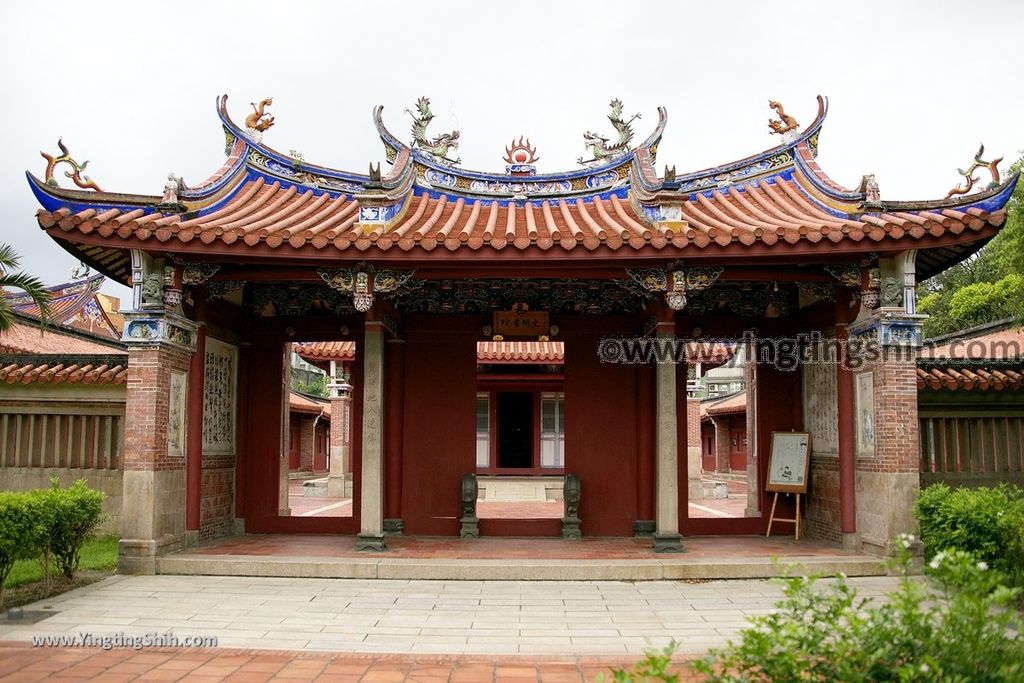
point(674, 569)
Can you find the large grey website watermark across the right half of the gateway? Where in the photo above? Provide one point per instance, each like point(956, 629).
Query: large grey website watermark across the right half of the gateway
point(789, 354)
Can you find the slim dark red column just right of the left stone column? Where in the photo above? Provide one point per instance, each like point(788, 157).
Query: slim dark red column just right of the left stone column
point(395, 370)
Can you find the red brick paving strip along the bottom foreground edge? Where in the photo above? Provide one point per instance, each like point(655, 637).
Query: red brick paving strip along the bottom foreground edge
point(23, 664)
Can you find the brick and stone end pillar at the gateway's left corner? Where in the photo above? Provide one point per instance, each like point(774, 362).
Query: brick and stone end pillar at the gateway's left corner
point(153, 514)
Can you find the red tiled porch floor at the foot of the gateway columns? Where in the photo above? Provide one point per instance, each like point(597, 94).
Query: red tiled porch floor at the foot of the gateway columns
point(718, 547)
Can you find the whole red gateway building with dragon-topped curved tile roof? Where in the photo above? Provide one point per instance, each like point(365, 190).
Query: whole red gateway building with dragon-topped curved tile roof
point(421, 269)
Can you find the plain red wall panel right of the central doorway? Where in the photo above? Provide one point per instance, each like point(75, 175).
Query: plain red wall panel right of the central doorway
point(602, 426)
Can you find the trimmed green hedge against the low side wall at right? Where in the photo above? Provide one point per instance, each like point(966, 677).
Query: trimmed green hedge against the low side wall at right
point(986, 522)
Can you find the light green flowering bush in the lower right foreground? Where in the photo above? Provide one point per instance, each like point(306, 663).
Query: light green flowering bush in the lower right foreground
point(959, 624)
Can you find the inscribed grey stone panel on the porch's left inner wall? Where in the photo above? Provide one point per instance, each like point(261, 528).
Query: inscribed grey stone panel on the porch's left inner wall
point(220, 387)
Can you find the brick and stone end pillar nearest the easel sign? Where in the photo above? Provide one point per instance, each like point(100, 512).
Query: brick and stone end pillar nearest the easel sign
point(886, 438)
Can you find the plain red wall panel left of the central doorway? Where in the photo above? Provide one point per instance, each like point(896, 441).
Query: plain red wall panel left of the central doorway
point(439, 436)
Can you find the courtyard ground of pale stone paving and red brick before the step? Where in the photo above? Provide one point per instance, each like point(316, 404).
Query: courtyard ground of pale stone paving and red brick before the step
point(383, 630)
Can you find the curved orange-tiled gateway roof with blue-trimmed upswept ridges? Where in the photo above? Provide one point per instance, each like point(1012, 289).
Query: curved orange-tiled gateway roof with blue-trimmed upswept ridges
point(779, 201)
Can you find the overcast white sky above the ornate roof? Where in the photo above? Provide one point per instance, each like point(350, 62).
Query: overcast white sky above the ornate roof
point(131, 87)
